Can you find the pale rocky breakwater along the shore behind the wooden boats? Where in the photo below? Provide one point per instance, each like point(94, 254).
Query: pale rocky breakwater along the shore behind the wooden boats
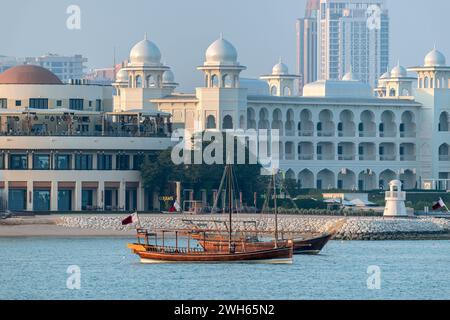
point(351, 228)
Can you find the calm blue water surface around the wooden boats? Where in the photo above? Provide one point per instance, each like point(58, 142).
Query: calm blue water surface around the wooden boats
point(35, 268)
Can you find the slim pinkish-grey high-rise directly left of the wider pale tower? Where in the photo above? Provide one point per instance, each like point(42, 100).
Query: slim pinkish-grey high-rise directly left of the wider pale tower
point(307, 45)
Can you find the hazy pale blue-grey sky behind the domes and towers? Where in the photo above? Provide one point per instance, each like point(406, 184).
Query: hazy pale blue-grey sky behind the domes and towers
point(261, 30)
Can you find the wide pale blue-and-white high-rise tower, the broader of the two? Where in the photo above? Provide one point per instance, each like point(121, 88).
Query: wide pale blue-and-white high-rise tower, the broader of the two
point(353, 36)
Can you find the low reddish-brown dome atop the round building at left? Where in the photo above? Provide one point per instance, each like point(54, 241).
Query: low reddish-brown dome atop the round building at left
point(29, 74)
